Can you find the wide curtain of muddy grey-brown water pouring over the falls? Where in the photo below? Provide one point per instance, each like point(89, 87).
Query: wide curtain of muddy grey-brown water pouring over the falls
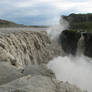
point(25, 48)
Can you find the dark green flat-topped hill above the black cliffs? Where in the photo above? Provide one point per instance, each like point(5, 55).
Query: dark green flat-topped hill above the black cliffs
point(80, 21)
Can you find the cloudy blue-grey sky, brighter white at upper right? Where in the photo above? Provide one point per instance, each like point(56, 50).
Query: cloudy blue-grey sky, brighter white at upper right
point(41, 12)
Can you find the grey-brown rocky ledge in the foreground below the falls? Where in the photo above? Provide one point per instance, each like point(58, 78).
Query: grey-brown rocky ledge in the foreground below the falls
point(35, 78)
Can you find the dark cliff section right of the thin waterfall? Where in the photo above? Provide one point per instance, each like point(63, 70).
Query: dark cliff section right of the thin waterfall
point(88, 44)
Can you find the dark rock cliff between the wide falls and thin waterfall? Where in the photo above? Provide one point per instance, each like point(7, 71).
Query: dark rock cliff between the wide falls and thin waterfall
point(69, 40)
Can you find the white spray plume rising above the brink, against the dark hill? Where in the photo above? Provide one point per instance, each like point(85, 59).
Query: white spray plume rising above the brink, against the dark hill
point(55, 30)
